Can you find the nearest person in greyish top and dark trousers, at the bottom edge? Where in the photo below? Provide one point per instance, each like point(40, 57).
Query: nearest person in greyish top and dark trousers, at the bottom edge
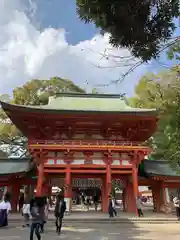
point(36, 220)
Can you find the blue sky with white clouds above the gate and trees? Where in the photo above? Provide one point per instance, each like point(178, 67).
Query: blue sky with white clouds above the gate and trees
point(45, 38)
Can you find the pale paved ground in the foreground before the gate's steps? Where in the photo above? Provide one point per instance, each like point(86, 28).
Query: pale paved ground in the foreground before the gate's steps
point(99, 232)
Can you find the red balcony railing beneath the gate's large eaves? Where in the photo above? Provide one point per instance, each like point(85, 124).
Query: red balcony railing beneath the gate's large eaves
point(84, 142)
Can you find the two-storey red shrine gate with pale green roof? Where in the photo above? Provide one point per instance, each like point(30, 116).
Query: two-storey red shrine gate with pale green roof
point(78, 137)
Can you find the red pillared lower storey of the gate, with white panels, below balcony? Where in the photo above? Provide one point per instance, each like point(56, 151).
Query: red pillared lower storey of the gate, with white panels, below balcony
point(105, 165)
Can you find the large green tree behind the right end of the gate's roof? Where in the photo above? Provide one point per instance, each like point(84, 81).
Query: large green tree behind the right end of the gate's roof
point(161, 91)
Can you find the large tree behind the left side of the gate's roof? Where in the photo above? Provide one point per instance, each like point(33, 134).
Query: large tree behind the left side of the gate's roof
point(34, 92)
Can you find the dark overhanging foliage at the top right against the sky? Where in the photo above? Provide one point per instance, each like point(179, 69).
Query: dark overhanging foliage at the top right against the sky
point(140, 26)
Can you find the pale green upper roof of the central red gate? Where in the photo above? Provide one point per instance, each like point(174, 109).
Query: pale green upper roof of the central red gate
point(87, 103)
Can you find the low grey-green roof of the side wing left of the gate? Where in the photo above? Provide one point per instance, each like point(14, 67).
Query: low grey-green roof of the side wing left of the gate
point(14, 165)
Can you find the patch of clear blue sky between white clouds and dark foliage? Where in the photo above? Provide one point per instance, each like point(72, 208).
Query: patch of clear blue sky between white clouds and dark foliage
point(62, 14)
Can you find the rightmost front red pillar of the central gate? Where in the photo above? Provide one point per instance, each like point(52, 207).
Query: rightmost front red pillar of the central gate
point(135, 185)
